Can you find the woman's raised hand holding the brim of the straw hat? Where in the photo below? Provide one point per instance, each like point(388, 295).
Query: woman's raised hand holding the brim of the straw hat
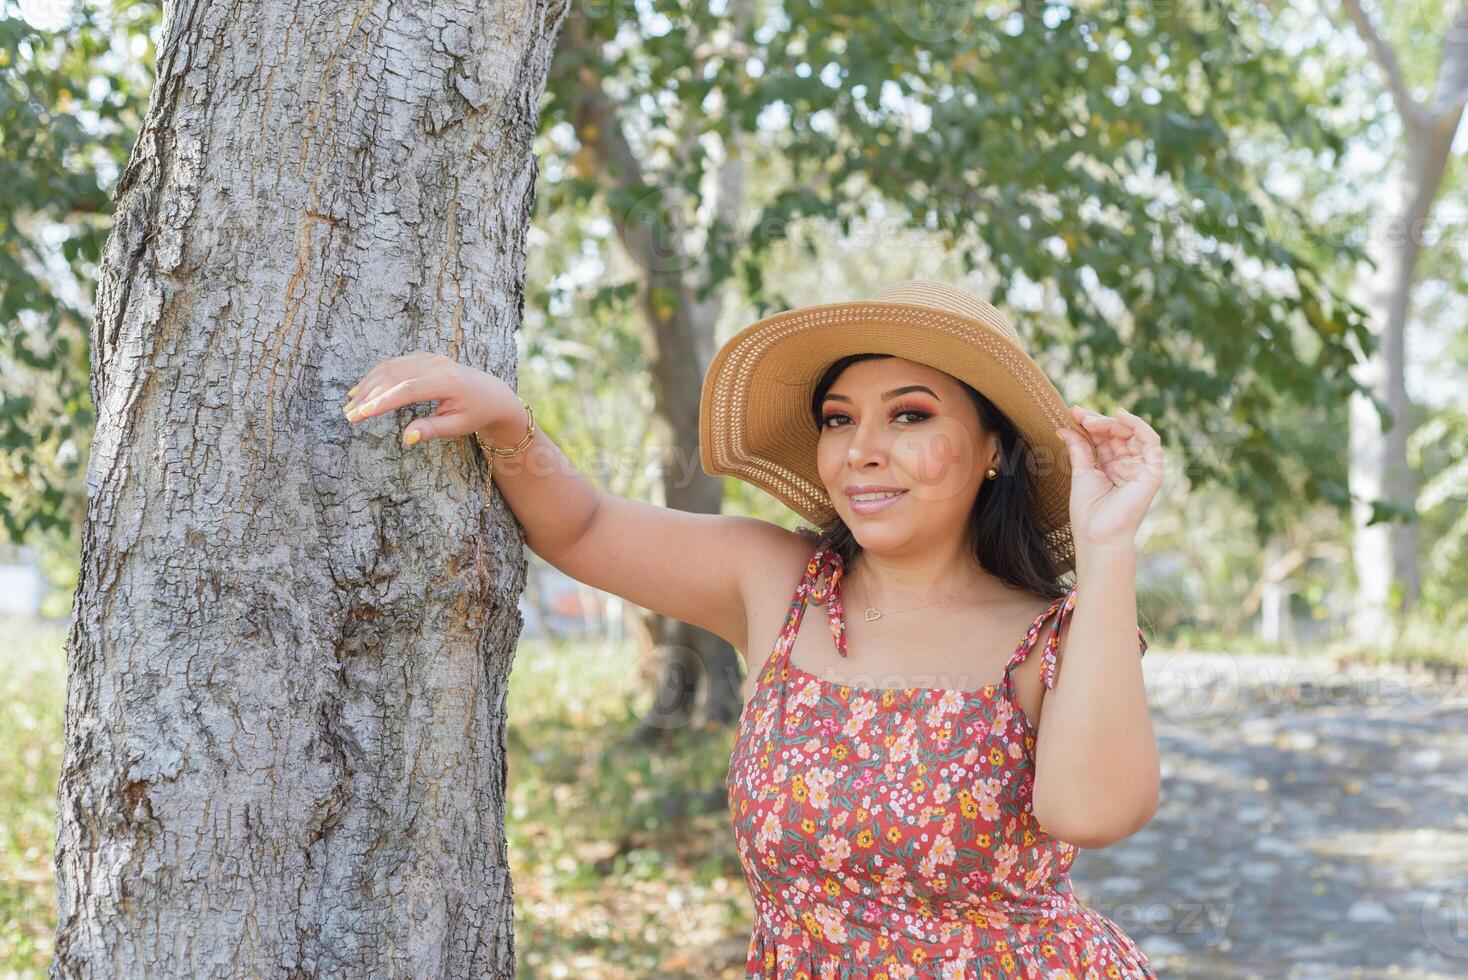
point(1112, 486)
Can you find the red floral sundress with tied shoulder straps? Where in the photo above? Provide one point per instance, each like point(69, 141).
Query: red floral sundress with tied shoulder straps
point(887, 834)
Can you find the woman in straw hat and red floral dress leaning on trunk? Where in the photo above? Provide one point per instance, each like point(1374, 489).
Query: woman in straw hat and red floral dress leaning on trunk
point(908, 789)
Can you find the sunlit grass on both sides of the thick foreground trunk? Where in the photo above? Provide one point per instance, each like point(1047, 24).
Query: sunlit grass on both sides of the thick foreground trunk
point(623, 857)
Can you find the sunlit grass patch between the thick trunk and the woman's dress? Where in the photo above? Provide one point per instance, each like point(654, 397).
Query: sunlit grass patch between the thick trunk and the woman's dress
point(623, 857)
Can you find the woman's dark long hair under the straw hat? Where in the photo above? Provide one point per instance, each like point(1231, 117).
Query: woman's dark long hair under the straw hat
point(1002, 529)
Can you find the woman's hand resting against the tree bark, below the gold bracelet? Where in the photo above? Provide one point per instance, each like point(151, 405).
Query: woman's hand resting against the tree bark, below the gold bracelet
point(469, 400)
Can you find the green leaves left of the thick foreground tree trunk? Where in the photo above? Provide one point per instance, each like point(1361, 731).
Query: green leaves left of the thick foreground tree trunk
point(71, 105)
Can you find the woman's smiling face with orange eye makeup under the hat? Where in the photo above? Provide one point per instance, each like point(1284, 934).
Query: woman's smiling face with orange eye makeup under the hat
point(924, 444)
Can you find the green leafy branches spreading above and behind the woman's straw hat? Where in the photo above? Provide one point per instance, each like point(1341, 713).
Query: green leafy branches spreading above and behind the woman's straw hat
point(1112, 155)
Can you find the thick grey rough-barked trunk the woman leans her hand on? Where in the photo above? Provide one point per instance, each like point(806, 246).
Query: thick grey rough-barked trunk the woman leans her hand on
point(286, 708)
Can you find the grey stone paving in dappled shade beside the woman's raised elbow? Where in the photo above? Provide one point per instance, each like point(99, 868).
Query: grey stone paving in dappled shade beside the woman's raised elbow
point(1315, 824)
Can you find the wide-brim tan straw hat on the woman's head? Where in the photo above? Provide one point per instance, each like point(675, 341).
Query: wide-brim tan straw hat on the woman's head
point(755, 410)
